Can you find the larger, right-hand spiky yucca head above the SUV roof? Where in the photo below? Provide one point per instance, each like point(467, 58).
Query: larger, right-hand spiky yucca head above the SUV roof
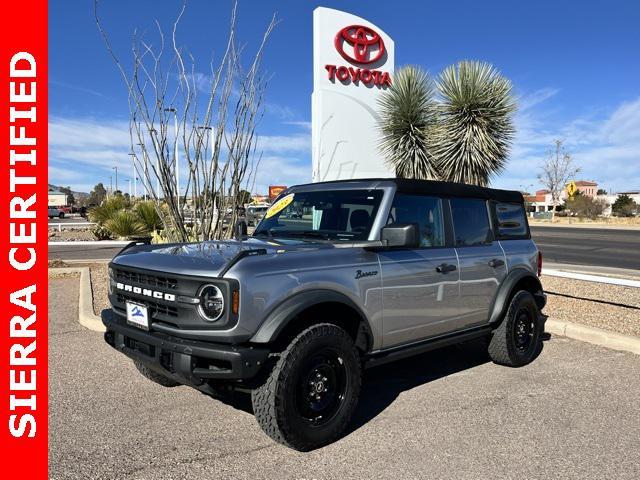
point(475, 121)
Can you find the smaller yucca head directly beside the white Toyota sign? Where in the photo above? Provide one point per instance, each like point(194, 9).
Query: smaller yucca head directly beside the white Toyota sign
point(407, 118)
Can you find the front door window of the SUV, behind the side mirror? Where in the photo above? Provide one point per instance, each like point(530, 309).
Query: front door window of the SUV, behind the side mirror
point(423, 210)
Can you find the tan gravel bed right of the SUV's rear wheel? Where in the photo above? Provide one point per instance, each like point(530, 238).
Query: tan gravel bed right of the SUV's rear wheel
point(611, 307)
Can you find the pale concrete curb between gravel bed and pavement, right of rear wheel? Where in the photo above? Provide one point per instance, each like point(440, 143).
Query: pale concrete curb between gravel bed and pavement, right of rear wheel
point(593, 335)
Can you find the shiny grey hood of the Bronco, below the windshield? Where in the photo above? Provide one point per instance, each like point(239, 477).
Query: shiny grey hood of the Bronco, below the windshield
point(204, 258)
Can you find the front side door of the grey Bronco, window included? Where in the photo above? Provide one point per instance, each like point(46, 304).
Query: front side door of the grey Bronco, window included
point(420, 285)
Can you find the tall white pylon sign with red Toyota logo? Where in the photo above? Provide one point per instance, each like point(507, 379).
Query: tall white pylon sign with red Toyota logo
point(353, 62)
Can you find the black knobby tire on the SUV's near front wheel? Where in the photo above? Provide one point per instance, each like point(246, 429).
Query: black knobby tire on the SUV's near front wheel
point(276, 403)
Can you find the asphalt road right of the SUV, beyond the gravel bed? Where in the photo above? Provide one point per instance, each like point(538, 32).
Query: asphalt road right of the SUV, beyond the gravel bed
point(589, 246)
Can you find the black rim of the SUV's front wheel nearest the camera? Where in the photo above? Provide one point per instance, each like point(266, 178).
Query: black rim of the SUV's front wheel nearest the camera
point(322, 387)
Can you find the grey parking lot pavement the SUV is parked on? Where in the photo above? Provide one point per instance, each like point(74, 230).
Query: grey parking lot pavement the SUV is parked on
point(573, 413)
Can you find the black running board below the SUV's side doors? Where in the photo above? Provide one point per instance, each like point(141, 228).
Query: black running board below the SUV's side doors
point(403, 351)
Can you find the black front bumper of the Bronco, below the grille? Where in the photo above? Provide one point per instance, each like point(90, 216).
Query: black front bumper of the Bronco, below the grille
point(185, 361)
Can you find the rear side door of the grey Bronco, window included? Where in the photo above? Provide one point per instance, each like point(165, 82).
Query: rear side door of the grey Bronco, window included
point(481, 259)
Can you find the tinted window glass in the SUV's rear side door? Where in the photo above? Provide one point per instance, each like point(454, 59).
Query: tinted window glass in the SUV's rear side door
point(470, 222)
